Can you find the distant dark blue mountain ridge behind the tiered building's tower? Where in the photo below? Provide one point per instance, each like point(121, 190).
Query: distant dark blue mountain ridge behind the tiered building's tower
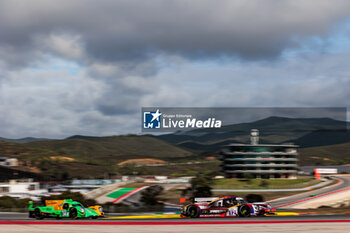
point(272, 130)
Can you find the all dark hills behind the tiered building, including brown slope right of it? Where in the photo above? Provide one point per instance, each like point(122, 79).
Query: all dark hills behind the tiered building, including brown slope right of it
point(322, 141)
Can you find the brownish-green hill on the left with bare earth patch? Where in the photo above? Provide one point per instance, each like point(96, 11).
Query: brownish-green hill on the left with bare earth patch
point(92, 157)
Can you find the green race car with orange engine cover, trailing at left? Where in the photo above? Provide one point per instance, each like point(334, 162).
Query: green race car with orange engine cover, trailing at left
point(66, 208)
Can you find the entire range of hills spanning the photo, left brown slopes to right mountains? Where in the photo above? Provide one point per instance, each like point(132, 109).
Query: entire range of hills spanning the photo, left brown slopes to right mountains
point(98, 157)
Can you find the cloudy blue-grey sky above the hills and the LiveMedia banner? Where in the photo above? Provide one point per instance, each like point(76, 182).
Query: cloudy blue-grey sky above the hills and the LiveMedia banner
point(87, 67)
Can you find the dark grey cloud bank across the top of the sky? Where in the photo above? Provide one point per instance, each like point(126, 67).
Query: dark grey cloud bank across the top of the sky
point(137, 30)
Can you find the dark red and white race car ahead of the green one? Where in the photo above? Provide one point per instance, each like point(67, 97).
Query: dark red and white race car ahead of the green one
point(226, 206)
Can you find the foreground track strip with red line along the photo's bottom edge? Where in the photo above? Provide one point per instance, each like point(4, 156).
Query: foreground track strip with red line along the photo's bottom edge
point(272, 224)
